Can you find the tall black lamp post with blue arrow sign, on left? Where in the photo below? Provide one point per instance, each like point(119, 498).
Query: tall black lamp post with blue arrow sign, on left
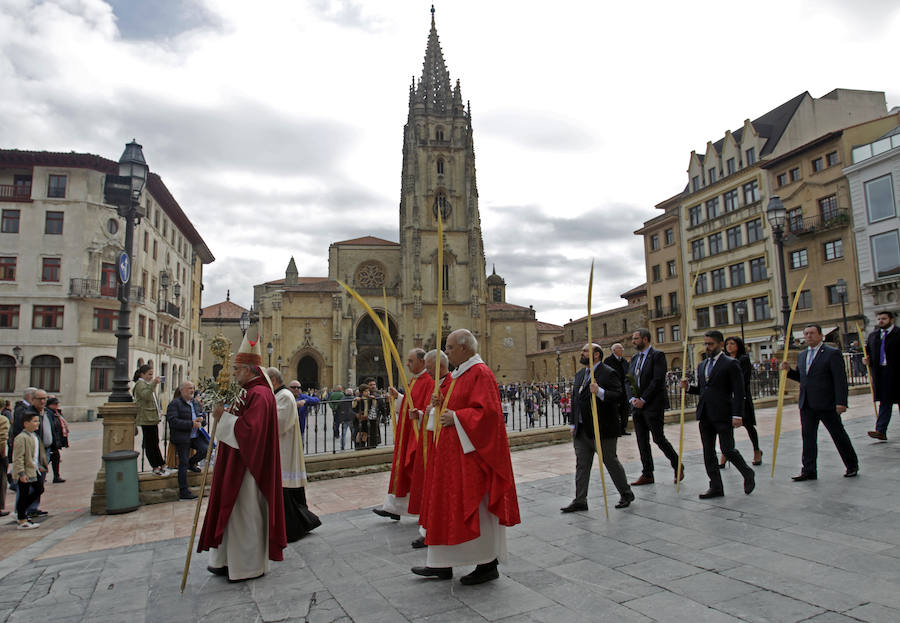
point(124, 191)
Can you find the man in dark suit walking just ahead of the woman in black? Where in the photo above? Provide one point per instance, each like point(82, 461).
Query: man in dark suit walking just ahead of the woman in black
point(720, 386)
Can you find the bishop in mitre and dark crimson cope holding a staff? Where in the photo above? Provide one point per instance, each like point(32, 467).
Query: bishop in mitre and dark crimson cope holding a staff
point(244, 523)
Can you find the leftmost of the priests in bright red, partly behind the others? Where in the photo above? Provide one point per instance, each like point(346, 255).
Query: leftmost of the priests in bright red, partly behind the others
point(401, 498)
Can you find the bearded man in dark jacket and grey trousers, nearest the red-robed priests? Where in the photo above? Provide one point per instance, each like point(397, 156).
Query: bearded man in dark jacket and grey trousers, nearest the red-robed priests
point(606, 390)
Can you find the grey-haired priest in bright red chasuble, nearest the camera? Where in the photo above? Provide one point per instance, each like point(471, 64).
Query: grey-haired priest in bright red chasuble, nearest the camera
point(471, 495)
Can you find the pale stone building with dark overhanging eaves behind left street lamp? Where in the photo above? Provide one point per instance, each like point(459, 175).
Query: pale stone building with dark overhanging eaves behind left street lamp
point(58, 307)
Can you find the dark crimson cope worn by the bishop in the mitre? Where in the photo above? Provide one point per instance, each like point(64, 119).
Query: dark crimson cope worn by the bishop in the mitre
point(256, 431)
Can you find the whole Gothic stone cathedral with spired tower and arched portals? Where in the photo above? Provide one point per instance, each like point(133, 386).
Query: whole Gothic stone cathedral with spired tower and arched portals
point(323, 337)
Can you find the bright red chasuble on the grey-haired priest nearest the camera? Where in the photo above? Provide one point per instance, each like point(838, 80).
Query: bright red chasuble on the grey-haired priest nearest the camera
point(460, 481)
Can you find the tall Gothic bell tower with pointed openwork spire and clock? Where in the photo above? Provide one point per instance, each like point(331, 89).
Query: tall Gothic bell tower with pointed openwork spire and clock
point(439, 175)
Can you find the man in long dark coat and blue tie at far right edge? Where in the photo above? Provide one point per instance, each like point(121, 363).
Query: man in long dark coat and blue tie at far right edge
point(883, 358)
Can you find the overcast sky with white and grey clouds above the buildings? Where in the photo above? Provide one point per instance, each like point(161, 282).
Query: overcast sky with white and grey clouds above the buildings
point(277, 125)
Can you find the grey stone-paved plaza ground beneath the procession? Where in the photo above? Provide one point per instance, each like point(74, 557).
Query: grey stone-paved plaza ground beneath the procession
point(824, 551)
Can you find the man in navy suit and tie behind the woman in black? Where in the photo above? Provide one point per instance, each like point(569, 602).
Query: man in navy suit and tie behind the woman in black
point(823, 397)
